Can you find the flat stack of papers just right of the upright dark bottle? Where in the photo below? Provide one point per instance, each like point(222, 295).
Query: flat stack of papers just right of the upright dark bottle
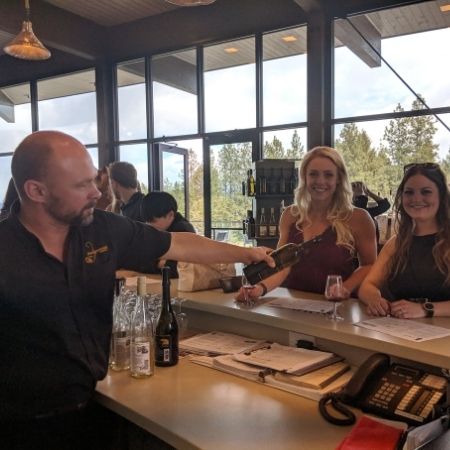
point(218, 343)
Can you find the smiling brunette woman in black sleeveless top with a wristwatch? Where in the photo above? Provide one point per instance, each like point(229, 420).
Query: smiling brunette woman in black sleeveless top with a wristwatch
point(411, 277)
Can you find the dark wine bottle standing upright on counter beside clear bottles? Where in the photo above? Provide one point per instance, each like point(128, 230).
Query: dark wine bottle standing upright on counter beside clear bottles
point(166, 335)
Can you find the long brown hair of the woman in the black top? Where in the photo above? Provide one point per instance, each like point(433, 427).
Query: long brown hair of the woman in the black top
point(404, 225)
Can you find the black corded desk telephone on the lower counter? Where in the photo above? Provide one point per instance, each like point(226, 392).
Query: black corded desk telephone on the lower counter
point(393, 391)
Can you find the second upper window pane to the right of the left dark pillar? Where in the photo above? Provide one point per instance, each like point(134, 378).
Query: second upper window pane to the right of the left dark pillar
point(175, 93)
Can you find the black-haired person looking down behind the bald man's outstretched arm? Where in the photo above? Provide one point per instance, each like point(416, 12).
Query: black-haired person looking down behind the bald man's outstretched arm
point(160, 209)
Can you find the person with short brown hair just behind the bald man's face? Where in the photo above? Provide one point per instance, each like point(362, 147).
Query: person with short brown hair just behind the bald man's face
point(125, 186)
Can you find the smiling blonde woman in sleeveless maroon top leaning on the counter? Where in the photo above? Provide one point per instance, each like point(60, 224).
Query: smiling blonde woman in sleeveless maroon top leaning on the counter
point(323, 206)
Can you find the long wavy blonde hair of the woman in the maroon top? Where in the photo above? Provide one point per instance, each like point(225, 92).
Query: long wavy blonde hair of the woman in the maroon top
point(341, 206)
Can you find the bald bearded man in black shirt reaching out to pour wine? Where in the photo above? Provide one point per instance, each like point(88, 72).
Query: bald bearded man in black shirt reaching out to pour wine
point(57, 271)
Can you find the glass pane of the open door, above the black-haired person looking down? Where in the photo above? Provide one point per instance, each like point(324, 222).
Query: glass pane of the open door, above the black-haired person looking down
point(174, 178)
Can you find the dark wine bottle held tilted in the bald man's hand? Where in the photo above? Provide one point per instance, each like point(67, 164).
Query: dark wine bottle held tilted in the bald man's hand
point(285, 256)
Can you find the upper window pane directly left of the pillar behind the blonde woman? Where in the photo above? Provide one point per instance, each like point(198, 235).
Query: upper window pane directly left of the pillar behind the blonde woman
point(284, 76)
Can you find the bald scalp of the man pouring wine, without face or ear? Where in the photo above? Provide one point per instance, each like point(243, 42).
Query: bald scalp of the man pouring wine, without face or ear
point(35, 154)
